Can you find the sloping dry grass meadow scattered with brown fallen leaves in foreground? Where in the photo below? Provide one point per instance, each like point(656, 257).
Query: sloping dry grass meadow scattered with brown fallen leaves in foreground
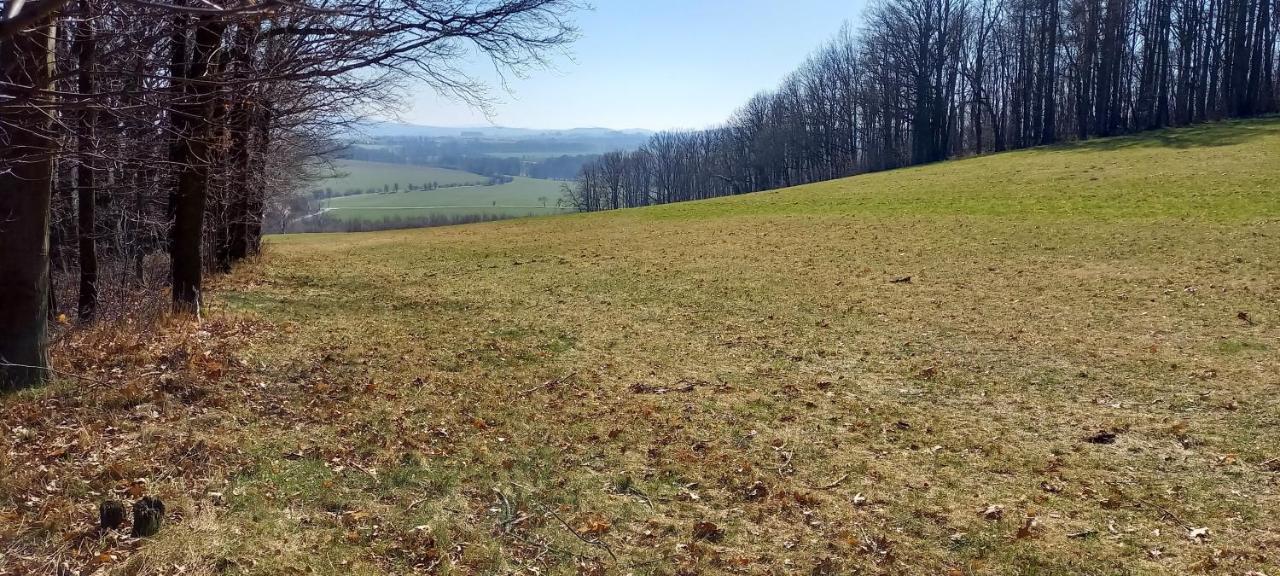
point(1082, 376)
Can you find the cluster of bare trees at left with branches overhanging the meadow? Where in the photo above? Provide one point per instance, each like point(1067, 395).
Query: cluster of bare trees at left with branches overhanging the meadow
point(163, 131)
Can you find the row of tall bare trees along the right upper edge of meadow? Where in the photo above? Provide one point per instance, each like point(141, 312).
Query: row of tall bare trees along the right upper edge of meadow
point(931, 80)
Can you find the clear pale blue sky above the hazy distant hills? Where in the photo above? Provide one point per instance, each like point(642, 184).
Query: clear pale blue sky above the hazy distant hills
point(655, 65)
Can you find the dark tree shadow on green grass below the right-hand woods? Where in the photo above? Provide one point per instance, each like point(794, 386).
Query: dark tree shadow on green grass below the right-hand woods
point(1212, 135)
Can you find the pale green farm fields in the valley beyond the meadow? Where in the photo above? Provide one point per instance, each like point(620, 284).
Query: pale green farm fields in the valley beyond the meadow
point(520, 198)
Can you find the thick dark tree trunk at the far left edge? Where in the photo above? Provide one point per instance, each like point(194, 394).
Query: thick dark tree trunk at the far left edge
point(26, 185)
